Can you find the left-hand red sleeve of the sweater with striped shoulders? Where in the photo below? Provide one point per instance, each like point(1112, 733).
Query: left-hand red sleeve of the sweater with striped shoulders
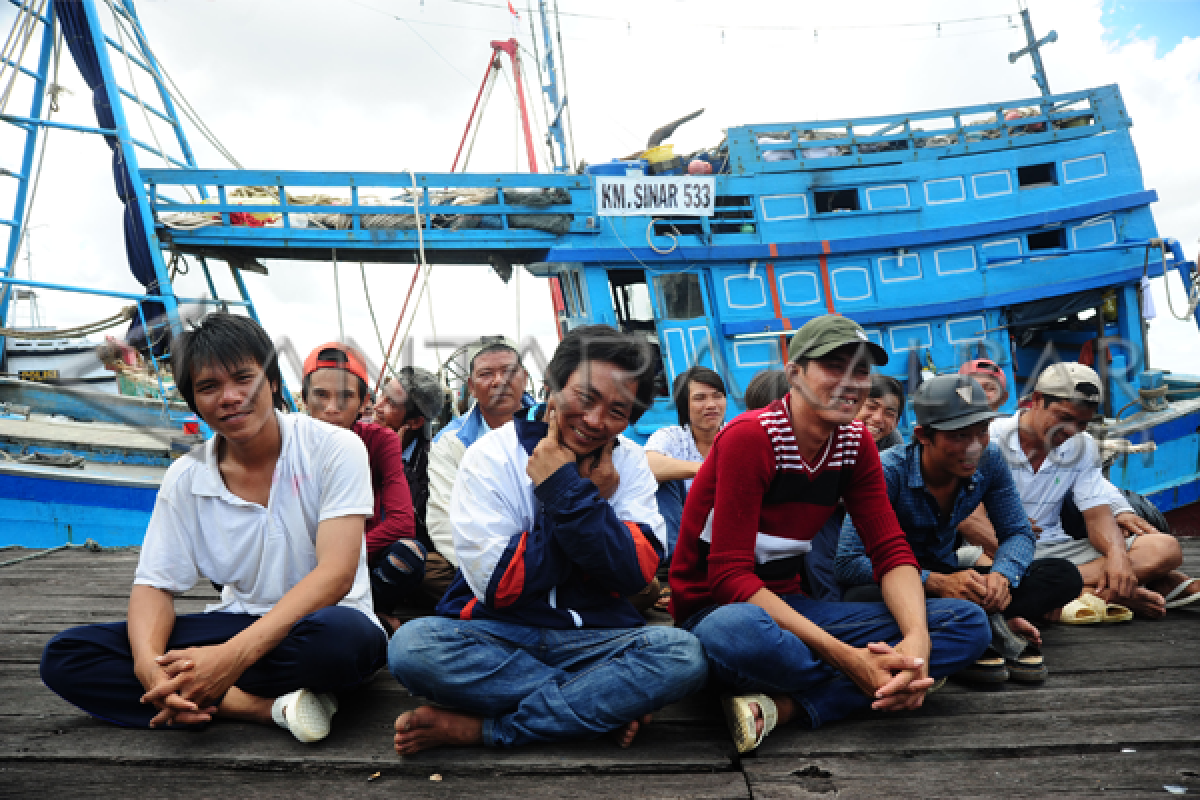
point(745, 466)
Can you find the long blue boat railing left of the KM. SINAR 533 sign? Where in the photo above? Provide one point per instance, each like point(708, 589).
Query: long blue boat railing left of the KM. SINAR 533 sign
point(365, 207)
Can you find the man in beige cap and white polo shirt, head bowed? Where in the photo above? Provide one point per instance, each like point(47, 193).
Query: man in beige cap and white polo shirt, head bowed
point(1051, 455)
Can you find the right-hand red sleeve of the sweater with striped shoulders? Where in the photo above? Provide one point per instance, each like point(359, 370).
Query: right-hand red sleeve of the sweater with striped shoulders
point(869, 508)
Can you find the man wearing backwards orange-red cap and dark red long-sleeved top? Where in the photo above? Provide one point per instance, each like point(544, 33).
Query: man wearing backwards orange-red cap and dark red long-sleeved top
point(335, 390)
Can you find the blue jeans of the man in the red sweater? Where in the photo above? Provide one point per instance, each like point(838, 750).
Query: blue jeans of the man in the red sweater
point(749, 653)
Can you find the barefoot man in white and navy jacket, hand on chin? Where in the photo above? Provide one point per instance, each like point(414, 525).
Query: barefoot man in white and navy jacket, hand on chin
point(555, 526)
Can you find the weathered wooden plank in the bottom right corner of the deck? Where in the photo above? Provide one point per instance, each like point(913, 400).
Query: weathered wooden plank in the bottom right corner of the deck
point(1096, 774)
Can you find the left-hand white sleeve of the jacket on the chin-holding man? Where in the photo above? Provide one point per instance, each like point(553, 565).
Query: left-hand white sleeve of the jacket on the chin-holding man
point(482, 509)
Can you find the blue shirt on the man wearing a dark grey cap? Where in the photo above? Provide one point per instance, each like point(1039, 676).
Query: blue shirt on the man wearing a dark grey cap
point(934, 539)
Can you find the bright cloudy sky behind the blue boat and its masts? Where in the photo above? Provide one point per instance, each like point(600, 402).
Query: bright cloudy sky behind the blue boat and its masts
point(387, 86)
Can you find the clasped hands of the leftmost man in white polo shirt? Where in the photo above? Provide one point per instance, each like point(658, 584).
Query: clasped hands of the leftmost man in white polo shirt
point(188, 685)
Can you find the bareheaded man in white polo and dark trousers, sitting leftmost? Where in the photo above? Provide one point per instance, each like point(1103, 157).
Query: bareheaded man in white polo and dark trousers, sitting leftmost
point(273, 509)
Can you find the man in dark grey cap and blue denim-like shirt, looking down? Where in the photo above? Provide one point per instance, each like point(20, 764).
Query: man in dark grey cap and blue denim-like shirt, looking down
point(950, 470)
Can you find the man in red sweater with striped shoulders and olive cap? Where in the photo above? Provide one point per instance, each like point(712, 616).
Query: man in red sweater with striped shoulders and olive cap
point(771, 480)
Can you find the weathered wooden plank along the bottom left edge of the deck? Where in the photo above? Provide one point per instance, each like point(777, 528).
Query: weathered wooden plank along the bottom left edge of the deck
point(91, 780)
